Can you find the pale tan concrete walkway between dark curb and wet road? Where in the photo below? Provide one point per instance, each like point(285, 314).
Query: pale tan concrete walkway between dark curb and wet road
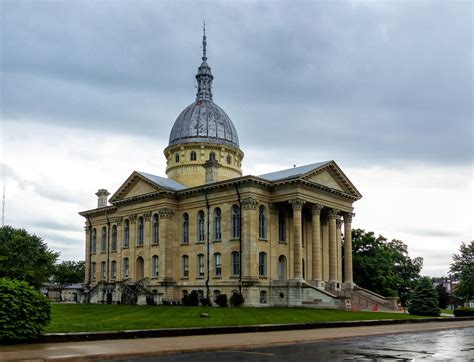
point(148, 347)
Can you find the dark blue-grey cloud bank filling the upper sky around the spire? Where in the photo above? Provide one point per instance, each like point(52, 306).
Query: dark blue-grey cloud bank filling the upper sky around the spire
point(365, 83)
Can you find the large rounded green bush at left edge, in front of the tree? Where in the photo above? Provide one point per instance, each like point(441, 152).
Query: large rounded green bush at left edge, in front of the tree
point(24, 312)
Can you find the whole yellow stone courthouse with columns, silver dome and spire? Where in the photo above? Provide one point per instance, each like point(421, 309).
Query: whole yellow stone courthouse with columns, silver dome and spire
point(281, 238)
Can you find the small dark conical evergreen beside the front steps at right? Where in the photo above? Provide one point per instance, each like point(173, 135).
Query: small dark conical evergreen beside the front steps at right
point(424, 299)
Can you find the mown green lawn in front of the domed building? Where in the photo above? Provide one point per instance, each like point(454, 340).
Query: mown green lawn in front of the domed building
point(96, 317)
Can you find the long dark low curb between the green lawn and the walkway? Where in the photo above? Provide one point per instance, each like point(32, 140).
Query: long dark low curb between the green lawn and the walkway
point(197, 331)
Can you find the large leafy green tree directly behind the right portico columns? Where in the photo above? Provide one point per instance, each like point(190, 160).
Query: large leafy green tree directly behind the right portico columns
point(382, 266)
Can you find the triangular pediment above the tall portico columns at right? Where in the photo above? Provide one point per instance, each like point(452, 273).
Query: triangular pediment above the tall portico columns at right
point(330, 175)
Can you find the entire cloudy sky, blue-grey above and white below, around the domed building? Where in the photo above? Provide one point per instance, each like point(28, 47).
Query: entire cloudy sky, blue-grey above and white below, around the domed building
point(90, 91)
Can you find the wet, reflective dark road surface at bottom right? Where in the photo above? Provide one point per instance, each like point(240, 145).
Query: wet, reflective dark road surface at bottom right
point(457, 344)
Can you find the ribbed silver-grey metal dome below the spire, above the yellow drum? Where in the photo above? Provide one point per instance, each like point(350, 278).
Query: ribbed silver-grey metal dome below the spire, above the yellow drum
point(204, 121)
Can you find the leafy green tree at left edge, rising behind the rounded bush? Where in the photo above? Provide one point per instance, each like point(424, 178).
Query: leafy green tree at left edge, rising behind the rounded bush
point(25, 257)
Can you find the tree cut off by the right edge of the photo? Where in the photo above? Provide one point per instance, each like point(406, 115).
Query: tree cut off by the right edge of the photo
point(462, 268)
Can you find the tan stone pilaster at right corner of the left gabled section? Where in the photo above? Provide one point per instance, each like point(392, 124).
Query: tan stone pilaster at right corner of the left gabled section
point(167, 238)
